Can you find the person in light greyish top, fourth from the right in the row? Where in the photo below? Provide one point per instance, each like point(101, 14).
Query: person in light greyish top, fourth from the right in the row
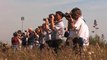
point(44, 38)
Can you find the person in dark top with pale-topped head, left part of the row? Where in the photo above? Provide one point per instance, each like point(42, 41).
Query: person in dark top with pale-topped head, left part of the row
point(31, 38)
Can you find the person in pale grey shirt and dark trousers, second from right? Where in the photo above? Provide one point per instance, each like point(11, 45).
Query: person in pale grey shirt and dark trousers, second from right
point(57, 30)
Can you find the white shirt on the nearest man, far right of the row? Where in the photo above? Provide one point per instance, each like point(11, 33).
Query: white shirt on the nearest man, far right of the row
point(82, 30)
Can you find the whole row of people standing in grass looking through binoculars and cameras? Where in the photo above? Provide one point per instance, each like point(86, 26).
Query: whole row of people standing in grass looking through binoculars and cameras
point(51, 32)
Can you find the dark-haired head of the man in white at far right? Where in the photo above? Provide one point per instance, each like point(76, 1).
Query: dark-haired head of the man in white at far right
point(76, 13)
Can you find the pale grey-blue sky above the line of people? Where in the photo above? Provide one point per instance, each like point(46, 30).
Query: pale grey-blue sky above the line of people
point(34, 11)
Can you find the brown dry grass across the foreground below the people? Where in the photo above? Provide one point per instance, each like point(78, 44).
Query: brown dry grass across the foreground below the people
point(93, 52)
